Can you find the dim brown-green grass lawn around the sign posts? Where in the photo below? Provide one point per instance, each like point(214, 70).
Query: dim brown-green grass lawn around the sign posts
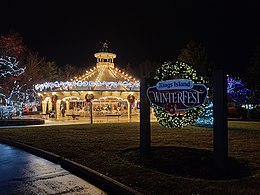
point(180, 161)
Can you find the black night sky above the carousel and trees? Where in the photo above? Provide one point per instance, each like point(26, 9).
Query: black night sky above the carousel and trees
point(70, 32)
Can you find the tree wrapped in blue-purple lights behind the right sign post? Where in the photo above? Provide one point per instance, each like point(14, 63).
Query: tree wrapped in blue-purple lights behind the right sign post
point(237, 91)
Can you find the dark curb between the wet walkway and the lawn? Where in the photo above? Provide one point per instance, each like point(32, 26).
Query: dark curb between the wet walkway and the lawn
point(104, 182)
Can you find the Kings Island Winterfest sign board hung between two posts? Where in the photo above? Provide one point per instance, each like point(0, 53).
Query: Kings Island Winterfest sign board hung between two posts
point(177, 94)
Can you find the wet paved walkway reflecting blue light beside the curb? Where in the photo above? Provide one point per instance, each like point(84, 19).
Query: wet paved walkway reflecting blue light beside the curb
point(24, 173)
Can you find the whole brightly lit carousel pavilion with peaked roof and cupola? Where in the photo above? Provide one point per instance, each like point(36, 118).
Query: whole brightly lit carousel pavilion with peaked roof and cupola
point(102, 90)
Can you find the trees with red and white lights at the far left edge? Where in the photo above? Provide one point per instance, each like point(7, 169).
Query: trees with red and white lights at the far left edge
point(16, 80)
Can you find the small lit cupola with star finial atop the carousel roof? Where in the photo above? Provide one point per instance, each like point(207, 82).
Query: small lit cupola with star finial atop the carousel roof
point(105, 58)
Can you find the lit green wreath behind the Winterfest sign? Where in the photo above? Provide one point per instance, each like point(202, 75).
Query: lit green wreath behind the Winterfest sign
point(177, 70)
